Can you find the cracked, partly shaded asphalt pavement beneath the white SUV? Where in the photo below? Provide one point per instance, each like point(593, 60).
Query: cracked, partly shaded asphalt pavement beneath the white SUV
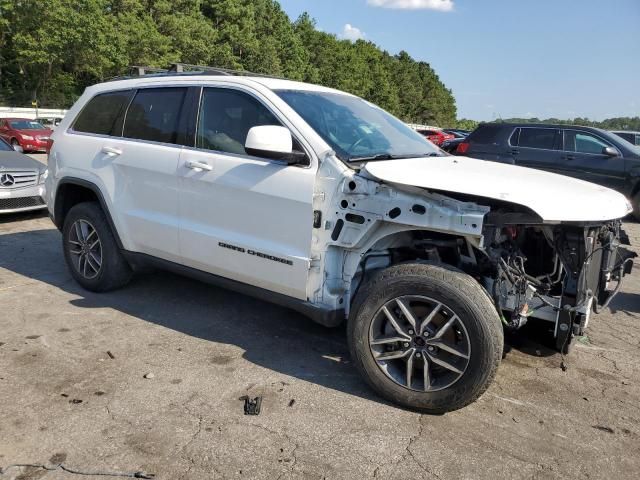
point(207, 347)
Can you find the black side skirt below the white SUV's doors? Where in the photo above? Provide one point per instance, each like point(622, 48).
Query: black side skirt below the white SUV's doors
point(328, 318)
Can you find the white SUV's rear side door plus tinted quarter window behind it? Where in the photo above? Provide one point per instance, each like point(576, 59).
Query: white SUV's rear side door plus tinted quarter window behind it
point(133, 138)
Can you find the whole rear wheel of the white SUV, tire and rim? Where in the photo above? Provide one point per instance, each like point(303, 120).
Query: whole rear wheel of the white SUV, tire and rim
point(90, 249)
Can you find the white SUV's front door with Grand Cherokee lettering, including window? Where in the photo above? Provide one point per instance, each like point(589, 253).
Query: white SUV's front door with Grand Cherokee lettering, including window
point(243, 217)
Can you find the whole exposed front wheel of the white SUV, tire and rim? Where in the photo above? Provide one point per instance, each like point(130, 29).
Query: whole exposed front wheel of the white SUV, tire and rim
point(426, 337)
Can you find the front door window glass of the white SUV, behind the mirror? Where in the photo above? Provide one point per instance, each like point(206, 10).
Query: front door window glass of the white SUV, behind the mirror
point(226, 116)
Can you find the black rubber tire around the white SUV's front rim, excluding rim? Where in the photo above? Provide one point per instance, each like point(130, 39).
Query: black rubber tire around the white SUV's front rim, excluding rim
point(458, 292)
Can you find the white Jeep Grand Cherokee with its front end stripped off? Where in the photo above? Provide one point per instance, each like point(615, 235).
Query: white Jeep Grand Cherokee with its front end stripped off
point(321, 201)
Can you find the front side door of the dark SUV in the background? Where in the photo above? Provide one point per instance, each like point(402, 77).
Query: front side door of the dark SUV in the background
point(582, 157)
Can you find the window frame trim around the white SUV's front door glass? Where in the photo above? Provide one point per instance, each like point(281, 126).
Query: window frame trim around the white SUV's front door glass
point(276, 113)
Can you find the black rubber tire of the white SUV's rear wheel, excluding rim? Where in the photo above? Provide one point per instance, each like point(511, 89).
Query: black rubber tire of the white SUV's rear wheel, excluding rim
point(114, 271)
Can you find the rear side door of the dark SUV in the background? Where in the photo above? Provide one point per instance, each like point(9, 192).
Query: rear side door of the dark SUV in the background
point(536, 147)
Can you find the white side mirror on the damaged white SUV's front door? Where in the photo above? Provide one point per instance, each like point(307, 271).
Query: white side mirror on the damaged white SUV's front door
point(274, 142)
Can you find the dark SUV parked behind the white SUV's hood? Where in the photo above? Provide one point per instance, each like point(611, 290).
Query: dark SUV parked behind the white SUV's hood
point(590, 154)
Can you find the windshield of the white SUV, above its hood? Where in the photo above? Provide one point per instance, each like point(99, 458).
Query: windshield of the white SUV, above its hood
point(356, 129)
